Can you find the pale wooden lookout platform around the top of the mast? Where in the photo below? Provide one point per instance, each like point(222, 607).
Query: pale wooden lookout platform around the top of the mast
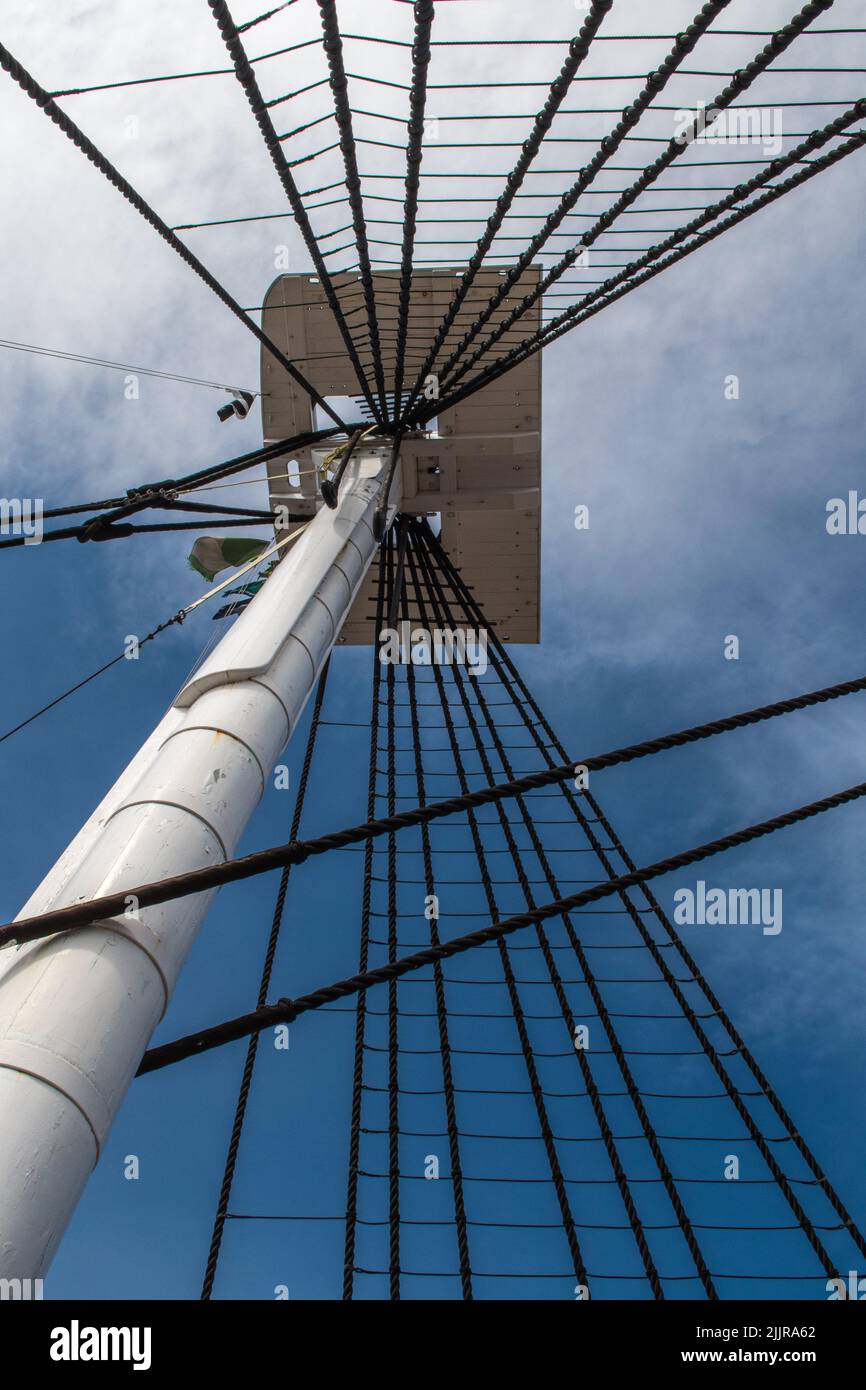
point(479, 468)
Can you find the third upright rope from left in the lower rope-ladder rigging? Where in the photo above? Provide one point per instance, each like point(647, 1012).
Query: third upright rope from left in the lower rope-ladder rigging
point(448, 1082)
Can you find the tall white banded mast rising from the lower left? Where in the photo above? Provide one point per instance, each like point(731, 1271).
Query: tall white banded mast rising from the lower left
point(77, 1010)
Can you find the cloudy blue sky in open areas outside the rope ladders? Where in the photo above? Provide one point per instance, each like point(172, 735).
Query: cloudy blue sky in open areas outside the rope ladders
point(707, 521)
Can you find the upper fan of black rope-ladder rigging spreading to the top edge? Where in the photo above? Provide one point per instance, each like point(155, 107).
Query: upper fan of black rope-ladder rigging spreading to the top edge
point(457, 366)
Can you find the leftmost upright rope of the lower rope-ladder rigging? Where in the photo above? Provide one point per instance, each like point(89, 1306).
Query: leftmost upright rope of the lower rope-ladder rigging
point(361, 1018)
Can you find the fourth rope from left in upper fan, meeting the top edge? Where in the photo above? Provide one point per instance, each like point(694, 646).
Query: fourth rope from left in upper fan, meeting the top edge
point(579, 49)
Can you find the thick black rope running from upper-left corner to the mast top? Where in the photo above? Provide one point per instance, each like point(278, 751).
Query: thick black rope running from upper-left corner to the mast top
point(38, 94)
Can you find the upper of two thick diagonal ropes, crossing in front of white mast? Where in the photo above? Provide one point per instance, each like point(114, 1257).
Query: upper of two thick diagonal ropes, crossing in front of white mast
point(262, 861)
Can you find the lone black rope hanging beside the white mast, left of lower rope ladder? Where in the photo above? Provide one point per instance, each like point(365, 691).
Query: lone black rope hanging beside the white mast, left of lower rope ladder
point(265, 985)
